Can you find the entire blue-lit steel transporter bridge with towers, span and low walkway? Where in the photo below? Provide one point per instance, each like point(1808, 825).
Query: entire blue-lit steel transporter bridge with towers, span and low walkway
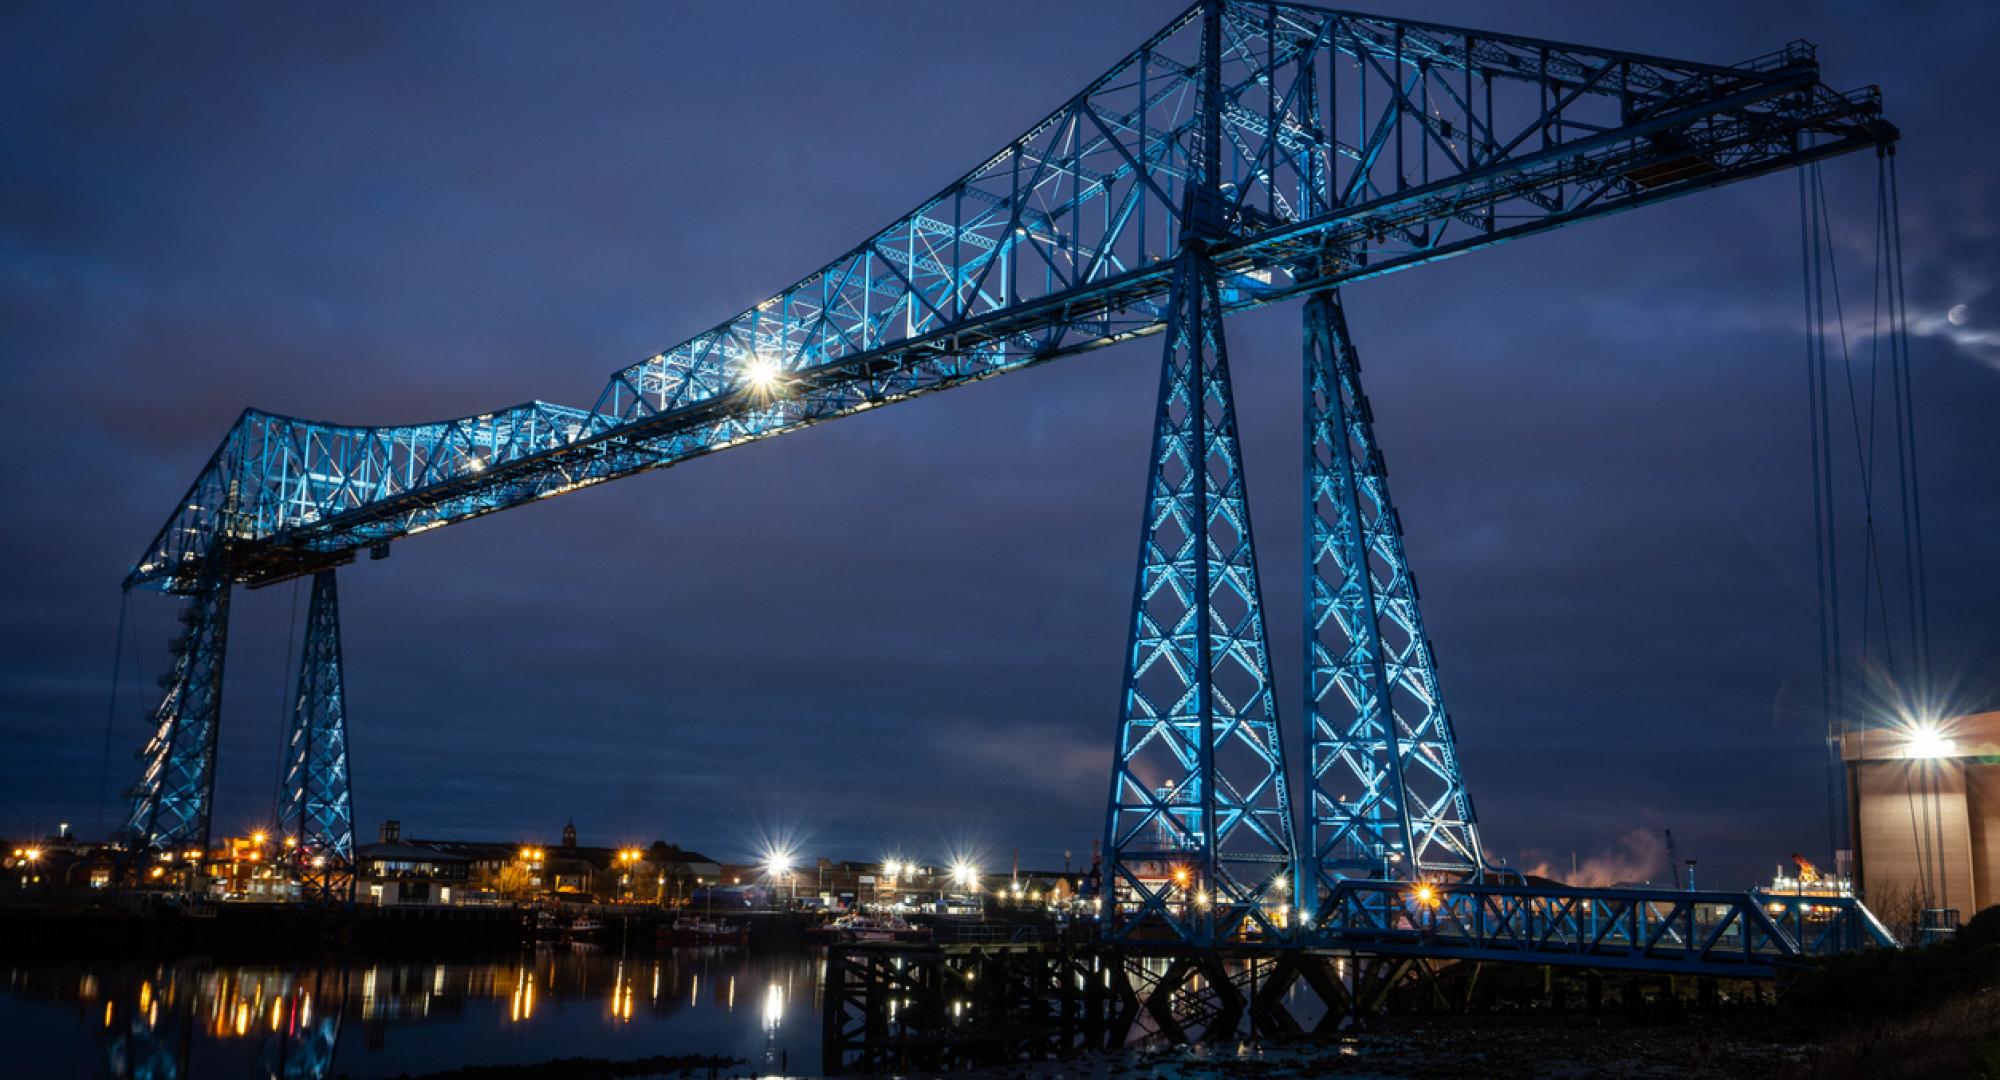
point(1243, 155)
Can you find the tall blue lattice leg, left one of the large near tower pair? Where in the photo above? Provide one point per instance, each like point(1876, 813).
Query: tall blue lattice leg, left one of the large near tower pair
point(1199, 831)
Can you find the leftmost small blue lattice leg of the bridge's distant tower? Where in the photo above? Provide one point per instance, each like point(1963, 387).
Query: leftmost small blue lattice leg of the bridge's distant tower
point(177, 781)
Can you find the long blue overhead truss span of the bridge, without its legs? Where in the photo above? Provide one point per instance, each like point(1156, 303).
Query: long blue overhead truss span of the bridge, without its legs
point(1349, 147)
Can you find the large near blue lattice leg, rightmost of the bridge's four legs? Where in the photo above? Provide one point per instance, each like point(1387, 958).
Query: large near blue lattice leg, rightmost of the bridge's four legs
point(1383, 773)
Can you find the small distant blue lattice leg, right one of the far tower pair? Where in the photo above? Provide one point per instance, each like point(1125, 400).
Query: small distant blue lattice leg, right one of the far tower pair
point(319, 813)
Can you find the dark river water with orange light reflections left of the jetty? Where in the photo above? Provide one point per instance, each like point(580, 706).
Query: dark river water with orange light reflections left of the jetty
point(385, 1019)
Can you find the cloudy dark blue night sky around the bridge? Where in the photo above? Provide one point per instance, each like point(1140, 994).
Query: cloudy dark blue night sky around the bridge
point(903, 633)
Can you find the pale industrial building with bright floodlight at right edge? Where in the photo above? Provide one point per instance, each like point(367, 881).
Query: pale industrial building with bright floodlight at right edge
point(1925, 815)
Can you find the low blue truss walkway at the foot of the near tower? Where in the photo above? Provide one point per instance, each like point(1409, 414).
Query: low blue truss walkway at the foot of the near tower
point(1733, 935)
